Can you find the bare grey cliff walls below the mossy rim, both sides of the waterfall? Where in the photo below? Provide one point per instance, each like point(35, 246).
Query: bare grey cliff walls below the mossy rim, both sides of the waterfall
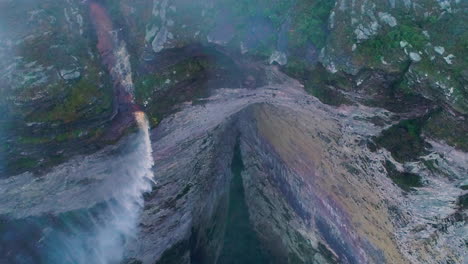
point(273, 168)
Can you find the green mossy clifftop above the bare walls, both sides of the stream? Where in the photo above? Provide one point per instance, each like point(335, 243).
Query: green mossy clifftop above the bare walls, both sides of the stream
point(58, 93)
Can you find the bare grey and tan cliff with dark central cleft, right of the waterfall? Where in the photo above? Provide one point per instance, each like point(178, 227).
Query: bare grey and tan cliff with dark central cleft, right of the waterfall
point(313, 190)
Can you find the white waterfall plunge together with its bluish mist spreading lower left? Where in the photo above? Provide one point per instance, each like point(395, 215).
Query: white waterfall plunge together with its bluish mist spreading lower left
point(98, 235)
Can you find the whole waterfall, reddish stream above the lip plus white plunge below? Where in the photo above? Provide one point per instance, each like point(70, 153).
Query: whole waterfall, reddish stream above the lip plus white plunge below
point(131, 170)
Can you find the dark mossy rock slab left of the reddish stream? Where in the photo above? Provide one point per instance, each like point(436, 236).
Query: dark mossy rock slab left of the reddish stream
point(56, 95)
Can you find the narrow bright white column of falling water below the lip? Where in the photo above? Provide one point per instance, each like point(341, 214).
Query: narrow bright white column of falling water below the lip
point(135, 179)
